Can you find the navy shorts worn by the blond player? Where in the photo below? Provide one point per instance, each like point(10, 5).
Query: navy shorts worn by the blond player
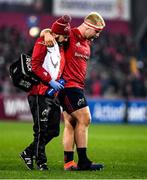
point(72, 99)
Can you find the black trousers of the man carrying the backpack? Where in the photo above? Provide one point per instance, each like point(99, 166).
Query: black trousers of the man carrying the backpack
point(46, 116)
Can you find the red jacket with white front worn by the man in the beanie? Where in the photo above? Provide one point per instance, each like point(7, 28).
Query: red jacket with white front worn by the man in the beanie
point(47, 63)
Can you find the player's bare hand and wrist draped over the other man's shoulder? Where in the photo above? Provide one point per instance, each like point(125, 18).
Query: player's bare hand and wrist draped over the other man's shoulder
point(48, 38)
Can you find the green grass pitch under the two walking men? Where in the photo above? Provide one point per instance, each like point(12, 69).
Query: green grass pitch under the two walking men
point(122, 149)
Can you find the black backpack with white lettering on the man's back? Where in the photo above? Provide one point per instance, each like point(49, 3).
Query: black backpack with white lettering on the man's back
point(21, 73)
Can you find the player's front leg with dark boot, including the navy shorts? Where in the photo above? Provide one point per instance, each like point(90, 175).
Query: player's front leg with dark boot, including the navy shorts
point(74, 102)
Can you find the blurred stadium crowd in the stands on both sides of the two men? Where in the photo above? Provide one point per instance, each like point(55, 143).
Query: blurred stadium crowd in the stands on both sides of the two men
point(117, 67)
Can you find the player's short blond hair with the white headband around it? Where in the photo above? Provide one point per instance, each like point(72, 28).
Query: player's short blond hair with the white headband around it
point(95, 21)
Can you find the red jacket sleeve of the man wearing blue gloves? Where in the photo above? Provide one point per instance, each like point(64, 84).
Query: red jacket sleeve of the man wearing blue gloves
point(39, 53)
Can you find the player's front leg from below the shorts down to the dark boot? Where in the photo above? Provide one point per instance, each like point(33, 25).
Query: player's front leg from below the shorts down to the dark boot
point(83, 117)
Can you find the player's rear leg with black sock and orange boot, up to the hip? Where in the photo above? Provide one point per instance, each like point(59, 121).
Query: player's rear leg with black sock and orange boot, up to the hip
point(68, 134)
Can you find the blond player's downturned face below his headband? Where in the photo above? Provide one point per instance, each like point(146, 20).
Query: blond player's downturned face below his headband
point(91, 34)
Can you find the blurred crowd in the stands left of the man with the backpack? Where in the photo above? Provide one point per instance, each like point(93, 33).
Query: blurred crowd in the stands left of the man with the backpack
point(12, 43)
